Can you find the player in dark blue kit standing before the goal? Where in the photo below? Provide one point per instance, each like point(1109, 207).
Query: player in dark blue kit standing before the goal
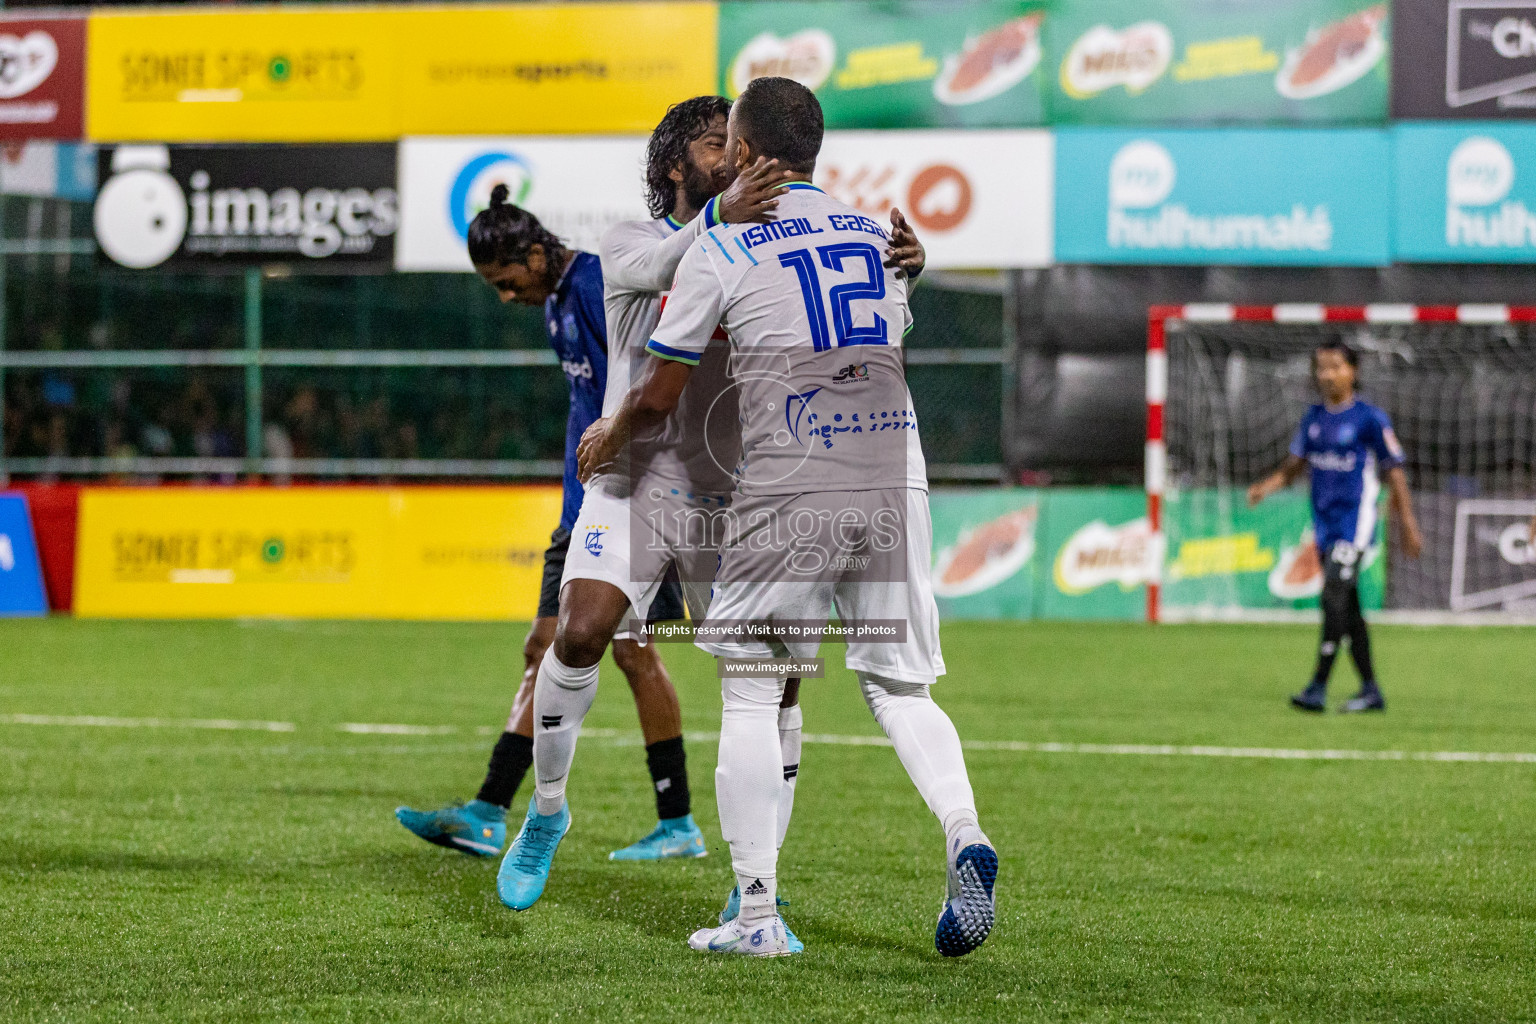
point(1346, 446)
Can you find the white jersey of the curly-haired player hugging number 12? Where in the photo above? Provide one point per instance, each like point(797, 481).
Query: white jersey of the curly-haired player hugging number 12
point(700, 444)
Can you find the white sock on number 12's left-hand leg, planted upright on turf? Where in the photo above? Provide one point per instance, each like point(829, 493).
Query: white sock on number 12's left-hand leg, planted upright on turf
point(747, 785)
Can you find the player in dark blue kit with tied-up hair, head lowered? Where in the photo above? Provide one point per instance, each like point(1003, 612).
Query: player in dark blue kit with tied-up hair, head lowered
point(525, 263)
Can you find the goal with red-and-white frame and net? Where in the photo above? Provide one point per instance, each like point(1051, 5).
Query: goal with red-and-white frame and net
point(1226, 388)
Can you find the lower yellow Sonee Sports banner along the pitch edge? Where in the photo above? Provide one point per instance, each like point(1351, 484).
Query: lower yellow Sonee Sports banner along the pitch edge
point(471, 553)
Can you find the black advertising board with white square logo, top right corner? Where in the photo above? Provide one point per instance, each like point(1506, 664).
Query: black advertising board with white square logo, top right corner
point(1465, 59)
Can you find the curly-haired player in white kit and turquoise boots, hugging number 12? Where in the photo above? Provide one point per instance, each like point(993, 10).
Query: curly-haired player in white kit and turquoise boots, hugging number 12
point(612, 570)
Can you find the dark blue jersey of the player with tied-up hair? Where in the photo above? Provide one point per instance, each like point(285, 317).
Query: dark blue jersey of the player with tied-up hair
point(580, 337)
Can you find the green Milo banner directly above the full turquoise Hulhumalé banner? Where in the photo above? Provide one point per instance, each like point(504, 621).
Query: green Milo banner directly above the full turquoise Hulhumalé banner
point(1140, 62)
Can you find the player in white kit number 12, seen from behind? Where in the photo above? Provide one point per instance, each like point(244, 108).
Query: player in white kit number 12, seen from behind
point(830, 509)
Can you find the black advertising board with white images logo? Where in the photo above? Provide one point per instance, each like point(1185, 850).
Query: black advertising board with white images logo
point(316, 208)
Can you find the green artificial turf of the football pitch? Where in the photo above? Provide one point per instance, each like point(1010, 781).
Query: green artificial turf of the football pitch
point(176, 874)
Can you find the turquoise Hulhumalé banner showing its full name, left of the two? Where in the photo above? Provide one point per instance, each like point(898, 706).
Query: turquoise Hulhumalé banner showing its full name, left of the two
point(1259, 197)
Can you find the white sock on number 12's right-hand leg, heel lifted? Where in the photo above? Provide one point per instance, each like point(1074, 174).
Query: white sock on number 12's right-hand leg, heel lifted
point(929, 745)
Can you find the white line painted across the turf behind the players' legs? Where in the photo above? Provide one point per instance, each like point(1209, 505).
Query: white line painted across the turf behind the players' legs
point(627, 738)
